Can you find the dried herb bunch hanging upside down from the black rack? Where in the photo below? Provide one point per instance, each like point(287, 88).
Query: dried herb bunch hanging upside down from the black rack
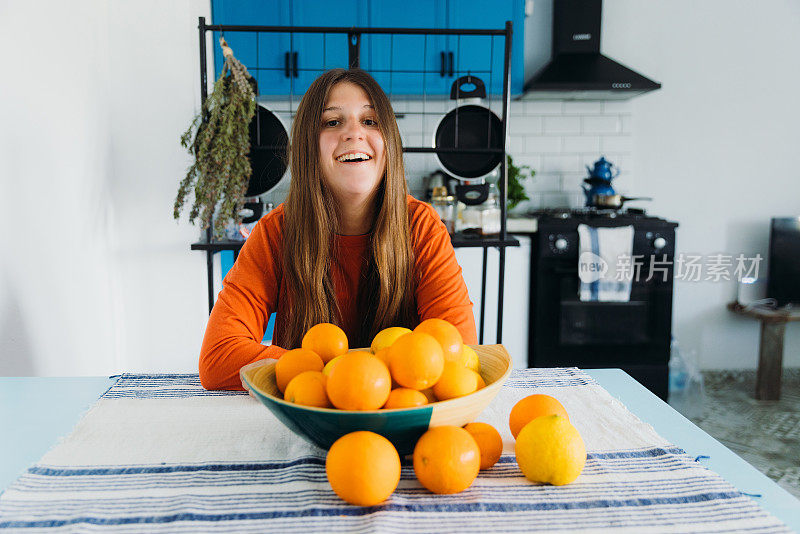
point(219, 140)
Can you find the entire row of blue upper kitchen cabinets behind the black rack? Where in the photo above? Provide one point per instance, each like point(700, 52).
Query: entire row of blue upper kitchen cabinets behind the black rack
point(402, 64)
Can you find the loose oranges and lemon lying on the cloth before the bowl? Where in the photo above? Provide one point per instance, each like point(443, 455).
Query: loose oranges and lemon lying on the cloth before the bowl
point(363, 467)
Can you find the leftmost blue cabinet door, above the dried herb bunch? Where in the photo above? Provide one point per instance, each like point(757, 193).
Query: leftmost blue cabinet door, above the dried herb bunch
point(264, 54)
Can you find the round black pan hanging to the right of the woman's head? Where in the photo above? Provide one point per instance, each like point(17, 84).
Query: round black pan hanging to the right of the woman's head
point(469, 126)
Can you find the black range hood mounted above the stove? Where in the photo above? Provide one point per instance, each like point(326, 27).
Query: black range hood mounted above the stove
point(577, 70)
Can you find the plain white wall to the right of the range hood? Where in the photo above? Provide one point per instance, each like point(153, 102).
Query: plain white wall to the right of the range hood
point(717, 145)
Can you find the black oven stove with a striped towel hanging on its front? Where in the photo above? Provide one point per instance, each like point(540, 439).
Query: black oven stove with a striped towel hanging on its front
point(633, 335)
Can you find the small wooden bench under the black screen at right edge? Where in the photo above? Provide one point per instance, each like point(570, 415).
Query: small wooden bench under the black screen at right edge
point(770, 350)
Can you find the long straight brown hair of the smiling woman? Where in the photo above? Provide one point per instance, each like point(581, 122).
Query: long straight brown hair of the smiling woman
point(386, 296)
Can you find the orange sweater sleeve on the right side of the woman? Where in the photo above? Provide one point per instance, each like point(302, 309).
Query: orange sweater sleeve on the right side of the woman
point(441, 290)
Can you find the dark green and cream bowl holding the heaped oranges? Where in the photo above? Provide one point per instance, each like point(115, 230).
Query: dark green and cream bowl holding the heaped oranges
point(403, 427)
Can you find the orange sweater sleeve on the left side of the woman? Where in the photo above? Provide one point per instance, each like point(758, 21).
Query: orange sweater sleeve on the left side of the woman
point(239, 318)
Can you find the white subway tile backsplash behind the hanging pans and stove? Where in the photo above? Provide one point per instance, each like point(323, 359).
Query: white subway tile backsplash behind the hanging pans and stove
point(556, 138)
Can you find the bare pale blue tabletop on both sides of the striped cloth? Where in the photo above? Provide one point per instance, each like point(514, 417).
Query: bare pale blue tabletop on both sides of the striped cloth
point(41, 424)
